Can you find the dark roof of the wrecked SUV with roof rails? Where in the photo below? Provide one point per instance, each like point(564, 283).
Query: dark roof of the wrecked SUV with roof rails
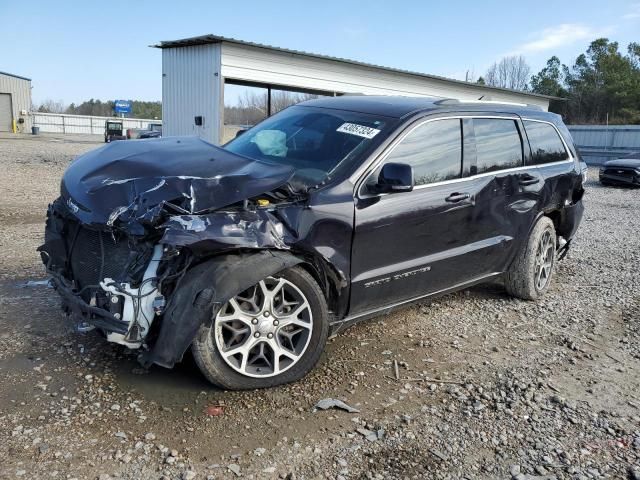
point(398, 106)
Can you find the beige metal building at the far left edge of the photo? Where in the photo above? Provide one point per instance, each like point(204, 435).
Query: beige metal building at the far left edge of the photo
point(15, 103)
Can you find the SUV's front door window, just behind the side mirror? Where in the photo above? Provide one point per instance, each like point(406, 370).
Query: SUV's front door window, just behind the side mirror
point(433, 149)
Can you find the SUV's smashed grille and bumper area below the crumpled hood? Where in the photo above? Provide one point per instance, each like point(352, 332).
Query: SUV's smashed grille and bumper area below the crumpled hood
point(107, 280)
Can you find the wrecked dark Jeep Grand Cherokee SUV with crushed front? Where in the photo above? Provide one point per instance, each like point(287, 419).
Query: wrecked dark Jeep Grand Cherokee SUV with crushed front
point(330, 212)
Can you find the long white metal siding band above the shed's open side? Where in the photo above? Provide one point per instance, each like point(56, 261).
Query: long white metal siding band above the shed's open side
point(256, 64)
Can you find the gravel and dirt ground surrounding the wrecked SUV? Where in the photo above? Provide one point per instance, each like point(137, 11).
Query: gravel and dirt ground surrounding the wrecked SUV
point(488, 386)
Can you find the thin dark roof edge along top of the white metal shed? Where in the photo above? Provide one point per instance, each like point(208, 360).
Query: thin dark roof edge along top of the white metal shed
point(208, 39)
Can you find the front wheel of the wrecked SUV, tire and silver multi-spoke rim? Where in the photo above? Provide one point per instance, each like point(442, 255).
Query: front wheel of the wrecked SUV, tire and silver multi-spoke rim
point(271, 334)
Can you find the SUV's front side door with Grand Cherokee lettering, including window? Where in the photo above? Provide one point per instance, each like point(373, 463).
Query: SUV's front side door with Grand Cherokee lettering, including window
point(406, 244)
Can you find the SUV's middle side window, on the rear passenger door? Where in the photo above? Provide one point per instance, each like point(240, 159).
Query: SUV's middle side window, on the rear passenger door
point(498, 144)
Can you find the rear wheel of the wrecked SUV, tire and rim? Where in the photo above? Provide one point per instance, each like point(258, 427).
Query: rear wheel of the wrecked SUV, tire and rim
point(531, 272)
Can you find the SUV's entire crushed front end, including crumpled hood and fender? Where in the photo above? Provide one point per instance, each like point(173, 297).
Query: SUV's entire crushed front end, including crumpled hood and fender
point(134, 218)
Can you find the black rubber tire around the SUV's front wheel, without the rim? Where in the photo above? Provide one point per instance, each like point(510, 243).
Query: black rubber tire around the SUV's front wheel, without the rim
point(214, 367)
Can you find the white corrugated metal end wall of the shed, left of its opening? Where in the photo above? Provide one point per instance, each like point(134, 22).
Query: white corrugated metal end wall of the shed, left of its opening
point(191, 86)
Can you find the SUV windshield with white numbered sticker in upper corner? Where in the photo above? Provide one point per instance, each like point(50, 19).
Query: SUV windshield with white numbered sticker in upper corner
point(316, 141)
